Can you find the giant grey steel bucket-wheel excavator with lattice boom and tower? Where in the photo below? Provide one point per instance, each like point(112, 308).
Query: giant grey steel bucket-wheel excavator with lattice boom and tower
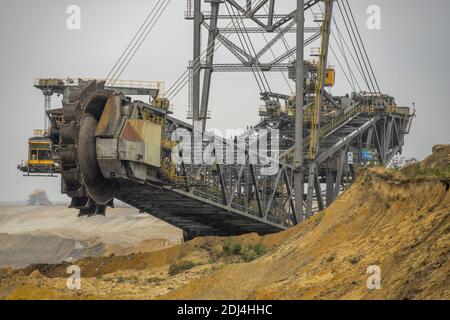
point(111, 147)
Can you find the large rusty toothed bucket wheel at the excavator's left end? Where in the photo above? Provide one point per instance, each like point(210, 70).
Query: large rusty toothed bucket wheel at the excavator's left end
point(82, 179)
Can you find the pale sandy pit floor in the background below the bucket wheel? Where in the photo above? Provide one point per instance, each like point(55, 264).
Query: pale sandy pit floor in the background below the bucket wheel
point(36, 235)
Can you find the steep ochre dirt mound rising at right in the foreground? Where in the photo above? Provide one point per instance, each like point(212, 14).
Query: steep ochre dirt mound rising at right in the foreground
point(400, 225)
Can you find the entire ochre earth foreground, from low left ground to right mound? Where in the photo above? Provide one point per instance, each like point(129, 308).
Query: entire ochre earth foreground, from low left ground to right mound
point(396, 222)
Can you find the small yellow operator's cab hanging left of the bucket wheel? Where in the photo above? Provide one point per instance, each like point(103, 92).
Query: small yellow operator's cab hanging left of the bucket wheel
point(40, 159)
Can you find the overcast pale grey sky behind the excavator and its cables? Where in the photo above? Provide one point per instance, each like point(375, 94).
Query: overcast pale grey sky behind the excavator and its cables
point(410, 55)
